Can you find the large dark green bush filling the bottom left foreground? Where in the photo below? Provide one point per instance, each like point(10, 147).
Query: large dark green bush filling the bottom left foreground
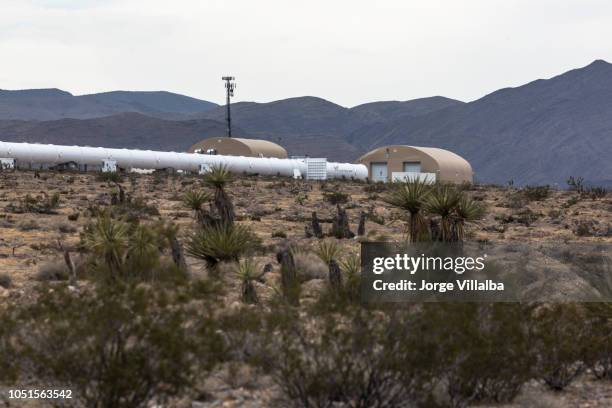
point(116, 346)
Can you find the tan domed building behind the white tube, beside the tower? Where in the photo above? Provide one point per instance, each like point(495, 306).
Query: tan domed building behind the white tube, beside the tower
point(234, 146)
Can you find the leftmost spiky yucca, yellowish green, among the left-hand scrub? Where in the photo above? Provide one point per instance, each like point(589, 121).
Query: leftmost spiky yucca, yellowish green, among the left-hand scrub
point(108, 240)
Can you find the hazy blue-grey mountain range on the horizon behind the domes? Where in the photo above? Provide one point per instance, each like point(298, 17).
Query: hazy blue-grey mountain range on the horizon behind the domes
point(541, 132)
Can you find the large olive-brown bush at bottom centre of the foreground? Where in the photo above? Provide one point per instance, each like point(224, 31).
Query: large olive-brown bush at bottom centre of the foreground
point(355, 360)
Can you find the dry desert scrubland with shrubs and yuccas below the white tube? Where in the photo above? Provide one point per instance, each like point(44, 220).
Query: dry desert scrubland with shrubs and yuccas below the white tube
point(146, 306)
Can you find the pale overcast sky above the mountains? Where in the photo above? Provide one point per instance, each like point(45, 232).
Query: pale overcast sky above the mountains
point(347, 51)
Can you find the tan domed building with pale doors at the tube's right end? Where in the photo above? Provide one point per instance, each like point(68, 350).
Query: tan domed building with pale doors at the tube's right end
point(398, 162)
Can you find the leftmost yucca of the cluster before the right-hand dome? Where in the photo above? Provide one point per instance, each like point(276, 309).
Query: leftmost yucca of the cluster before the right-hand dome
point(411, 196)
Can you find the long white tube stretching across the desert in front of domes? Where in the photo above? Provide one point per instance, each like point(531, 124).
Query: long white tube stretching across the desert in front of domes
point(148, 159)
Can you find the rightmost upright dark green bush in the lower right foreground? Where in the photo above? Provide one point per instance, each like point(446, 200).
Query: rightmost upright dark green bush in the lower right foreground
point(559, 337)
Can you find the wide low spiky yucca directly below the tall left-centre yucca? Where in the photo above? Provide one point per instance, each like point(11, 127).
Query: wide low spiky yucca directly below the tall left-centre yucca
point(224, 242)
